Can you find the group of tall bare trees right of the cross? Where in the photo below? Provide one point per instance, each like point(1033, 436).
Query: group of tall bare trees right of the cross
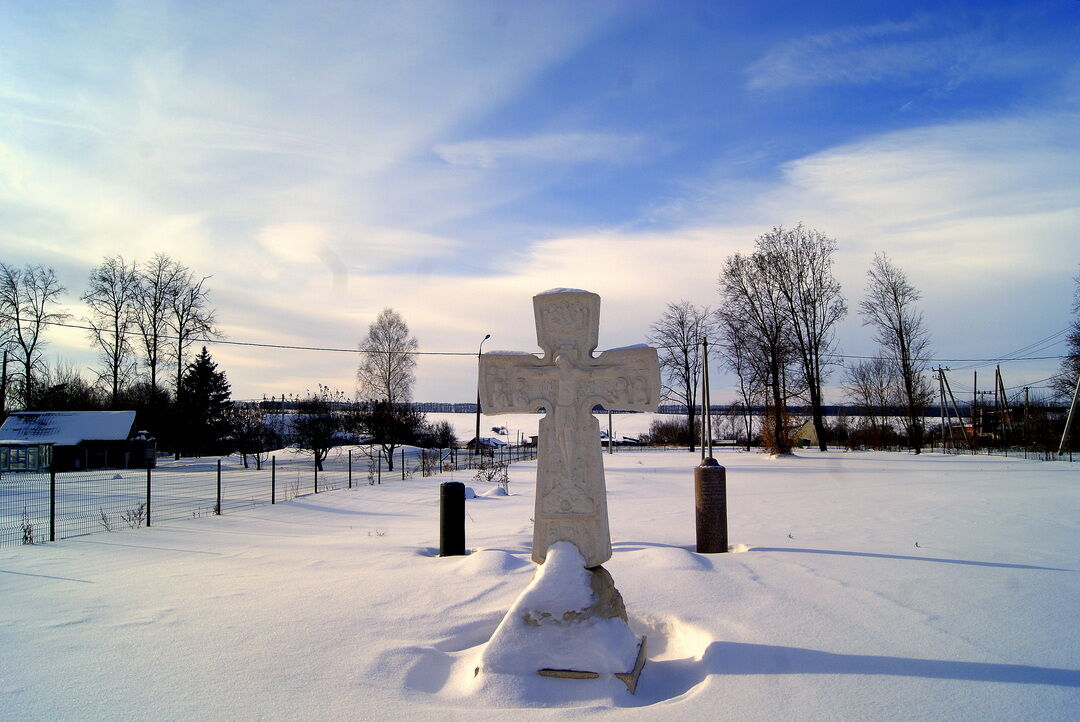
point(776, 331)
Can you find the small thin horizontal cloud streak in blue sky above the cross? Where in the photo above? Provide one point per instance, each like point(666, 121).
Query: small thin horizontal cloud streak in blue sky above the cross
point(556, 148)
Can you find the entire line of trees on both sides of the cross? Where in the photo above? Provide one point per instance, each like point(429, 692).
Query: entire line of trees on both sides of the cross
point(774, 329)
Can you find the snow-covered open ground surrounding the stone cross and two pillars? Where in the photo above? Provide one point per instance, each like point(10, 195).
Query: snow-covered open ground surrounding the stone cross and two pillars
point(336, 607)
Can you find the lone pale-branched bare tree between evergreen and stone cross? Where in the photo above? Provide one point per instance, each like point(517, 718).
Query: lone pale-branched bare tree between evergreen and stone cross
point(387, 365)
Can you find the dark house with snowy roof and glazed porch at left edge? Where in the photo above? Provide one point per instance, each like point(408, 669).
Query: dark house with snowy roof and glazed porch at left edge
point(72, 441)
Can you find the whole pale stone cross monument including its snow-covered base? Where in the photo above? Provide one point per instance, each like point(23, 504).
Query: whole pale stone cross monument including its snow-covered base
point(571, 622)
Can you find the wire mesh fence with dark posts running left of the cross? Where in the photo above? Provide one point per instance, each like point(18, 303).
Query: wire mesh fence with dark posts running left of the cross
point(49, 507)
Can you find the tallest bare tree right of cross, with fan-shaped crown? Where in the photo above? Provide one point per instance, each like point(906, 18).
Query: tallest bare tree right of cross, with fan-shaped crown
point(800, 263)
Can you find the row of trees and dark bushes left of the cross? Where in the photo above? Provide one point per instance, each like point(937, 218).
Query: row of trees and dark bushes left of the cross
point(144, 317)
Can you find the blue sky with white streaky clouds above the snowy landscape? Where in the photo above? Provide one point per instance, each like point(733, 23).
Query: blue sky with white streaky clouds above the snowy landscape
point(451, 159)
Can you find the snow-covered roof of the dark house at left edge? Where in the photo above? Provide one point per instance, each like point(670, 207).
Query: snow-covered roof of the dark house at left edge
point(66, 428)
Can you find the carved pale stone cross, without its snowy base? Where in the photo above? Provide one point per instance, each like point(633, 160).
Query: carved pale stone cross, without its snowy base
point(568, 383)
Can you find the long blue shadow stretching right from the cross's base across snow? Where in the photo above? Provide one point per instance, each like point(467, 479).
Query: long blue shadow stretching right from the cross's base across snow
point(671, 678)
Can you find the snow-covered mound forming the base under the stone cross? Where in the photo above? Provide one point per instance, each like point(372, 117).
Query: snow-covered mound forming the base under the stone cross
point(555, 625)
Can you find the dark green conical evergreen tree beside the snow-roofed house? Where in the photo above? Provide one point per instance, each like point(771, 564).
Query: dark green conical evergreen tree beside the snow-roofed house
point(202, 406)
